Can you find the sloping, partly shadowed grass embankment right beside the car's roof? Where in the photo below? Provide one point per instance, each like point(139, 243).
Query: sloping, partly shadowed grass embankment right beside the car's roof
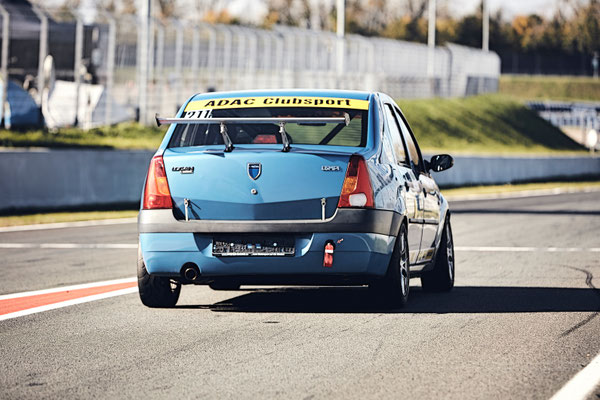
point(482, 124)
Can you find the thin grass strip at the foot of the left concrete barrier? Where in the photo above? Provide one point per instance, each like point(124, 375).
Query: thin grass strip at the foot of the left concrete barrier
point(71, 216)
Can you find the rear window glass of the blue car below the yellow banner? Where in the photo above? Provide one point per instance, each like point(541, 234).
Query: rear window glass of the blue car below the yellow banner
point(354, 134)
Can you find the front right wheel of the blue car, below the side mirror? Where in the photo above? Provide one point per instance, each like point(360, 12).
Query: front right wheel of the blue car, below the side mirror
point(441, 277)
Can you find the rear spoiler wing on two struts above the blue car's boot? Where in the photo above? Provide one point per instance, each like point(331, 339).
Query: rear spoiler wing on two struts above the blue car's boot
point(280, 121)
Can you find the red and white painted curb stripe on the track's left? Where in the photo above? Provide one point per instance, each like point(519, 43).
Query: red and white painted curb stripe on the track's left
point(26, 303)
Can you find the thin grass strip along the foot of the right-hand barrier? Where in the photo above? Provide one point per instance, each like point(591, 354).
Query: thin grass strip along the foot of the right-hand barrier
point(498, 189)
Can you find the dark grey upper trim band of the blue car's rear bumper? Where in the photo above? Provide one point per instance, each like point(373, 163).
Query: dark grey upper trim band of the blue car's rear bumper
point(349, 220)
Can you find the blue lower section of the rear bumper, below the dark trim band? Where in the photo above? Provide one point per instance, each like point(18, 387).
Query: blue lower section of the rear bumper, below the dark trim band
point(357, 255)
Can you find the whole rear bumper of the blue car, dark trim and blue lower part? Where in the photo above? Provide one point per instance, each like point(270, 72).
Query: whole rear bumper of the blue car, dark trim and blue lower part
point(364, 243)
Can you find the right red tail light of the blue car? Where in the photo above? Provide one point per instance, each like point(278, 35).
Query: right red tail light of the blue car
point(356, 190)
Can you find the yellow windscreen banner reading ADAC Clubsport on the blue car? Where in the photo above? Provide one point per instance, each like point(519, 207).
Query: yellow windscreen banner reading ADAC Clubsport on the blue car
point(277, 101)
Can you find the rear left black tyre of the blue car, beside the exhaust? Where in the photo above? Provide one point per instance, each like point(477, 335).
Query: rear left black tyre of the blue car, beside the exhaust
point(156, 291)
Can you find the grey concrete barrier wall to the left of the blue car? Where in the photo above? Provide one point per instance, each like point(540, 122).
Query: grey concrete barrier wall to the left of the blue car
point(49, 178)
